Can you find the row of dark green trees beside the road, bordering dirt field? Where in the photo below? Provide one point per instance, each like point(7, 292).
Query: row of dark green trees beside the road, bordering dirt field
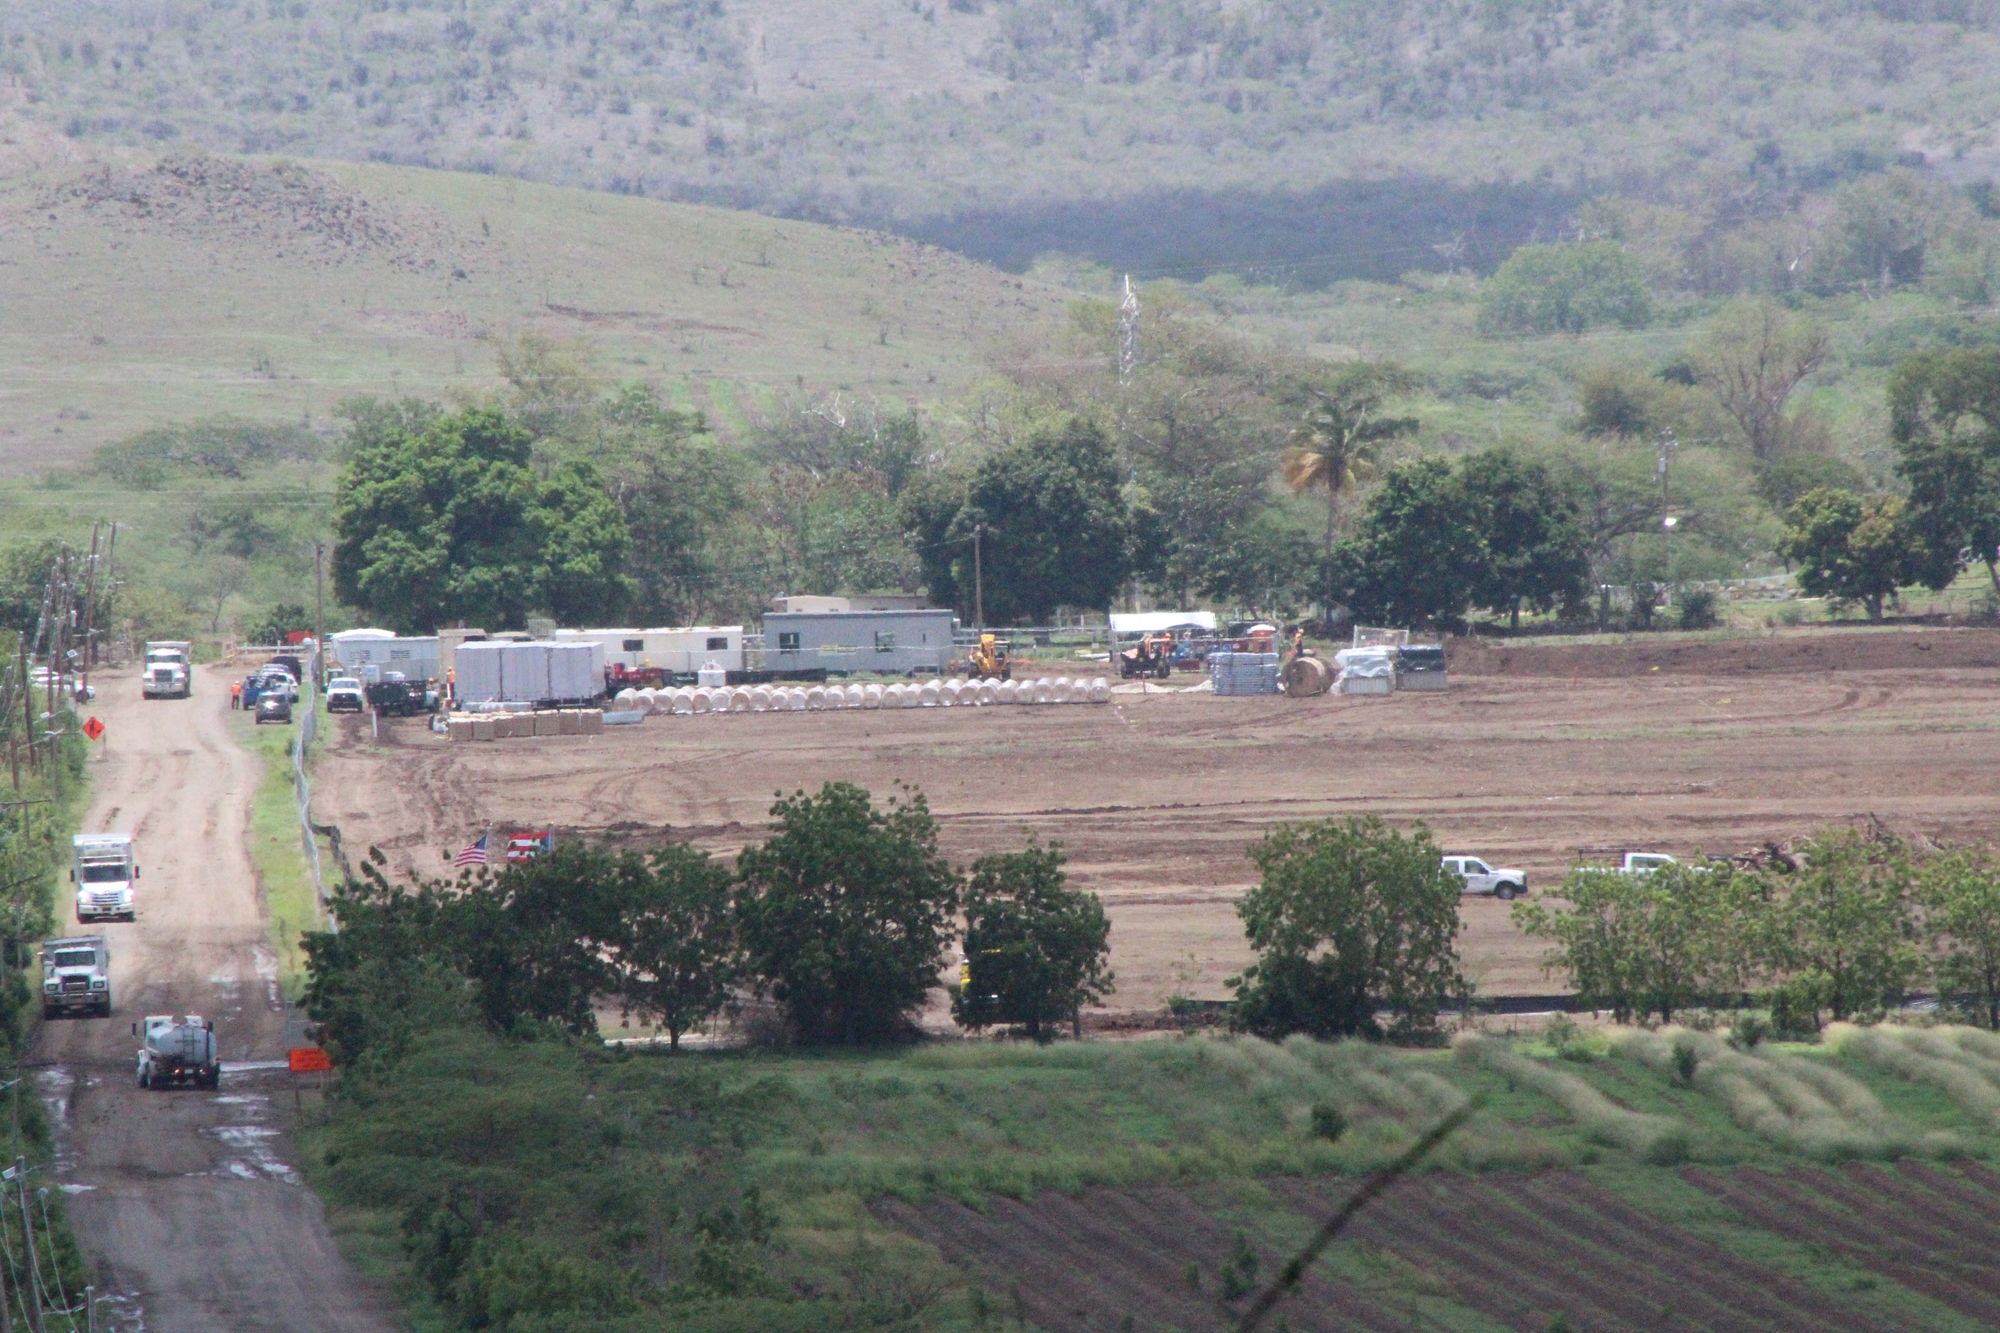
point(841, 918)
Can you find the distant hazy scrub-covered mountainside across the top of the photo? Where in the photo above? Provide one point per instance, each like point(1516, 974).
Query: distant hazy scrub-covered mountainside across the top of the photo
point(1349, 141)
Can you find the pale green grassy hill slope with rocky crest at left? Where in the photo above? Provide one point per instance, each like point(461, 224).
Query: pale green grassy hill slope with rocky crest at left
point(151, 289)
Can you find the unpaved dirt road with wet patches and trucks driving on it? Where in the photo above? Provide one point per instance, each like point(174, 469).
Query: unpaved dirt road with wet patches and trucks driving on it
point(187, 1202)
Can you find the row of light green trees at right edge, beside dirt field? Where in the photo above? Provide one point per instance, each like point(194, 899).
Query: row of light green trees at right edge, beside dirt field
point(1843, 930)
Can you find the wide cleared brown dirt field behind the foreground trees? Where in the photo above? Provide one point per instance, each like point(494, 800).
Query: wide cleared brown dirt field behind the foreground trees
point(1533, 754)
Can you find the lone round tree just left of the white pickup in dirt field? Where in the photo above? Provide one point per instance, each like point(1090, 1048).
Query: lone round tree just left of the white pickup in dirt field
point(1349, 918)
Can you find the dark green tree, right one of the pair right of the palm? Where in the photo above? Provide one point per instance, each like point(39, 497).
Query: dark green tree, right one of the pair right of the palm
point(1531, 533)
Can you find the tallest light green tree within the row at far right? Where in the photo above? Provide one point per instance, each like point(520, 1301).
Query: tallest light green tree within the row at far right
point(1843, 930)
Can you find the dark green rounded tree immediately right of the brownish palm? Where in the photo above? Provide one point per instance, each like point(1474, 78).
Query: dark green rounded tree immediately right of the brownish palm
point(1417, 555)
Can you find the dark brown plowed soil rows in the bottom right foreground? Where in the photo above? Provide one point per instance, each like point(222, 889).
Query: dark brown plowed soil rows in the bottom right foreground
point(1509, 1252)
